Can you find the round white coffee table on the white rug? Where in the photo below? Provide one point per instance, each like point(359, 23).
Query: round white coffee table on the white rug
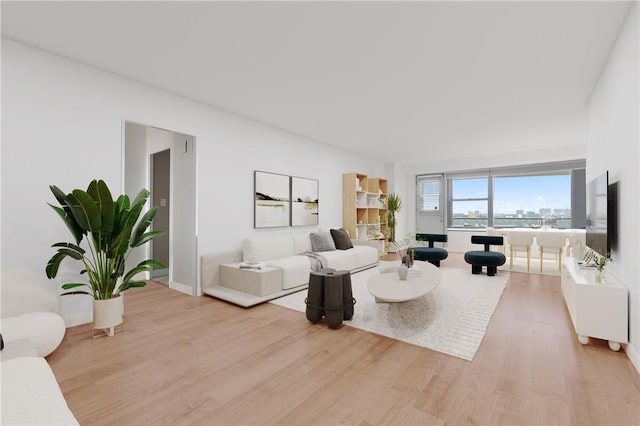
point(388, 287)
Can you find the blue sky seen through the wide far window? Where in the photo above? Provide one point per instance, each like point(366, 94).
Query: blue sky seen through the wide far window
point(528, 193)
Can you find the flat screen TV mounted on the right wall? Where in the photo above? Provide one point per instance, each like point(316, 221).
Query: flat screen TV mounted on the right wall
point(598, 214)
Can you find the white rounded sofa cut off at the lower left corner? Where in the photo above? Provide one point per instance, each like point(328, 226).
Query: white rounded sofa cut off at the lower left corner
point(31, 328)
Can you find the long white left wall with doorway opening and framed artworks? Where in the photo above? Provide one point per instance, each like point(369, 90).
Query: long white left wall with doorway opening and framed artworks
point(62, 123)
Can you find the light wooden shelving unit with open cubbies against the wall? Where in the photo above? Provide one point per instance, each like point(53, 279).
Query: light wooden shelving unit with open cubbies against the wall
point(364, 207)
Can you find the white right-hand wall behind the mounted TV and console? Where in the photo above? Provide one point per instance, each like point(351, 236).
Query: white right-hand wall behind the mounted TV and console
point(612, 144)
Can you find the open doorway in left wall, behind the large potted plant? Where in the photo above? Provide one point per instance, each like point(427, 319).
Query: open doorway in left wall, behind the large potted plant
point(165, 162)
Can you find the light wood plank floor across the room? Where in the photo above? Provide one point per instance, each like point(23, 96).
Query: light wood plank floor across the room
point(184, 360)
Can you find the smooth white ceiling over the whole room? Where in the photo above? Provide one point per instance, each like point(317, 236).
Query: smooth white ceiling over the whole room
point(394, 79)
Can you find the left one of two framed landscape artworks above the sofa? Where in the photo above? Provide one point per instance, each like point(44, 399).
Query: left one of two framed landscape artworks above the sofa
point(272, 206)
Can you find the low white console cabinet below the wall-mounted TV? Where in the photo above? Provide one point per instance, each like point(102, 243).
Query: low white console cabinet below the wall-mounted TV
point(597, 310)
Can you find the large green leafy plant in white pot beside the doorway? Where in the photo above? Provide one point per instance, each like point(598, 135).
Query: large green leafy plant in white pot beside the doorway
point(113, 230)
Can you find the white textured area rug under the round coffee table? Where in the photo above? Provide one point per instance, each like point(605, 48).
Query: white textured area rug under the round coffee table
point(452, 319)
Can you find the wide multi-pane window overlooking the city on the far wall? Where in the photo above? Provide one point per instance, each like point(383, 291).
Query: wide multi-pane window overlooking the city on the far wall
point(530, 196)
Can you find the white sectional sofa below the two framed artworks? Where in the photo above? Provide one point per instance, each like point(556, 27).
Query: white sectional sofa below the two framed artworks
point(287, 267)
